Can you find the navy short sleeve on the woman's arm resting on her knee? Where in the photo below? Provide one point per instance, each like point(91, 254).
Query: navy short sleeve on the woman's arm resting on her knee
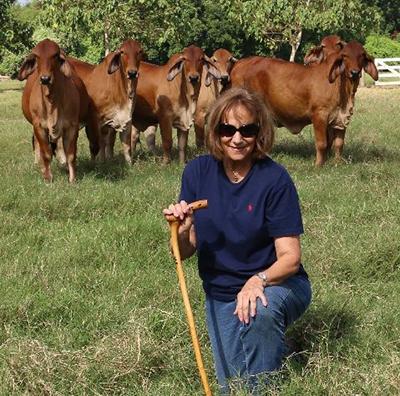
point(283, 215)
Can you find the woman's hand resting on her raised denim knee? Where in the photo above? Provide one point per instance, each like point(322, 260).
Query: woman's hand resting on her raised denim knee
point(247, 299)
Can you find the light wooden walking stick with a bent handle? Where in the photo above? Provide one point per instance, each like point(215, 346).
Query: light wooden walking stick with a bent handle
point(174, 225)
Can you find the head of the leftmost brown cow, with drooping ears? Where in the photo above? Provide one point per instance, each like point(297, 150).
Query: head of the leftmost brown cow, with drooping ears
point(47, 59)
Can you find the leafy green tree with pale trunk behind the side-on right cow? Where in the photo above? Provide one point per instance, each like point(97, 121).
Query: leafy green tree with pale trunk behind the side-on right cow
point(275, 22)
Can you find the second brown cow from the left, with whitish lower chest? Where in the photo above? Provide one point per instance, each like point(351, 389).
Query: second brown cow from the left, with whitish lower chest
point(112, 88)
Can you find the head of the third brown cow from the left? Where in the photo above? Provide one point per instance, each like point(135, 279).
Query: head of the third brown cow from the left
point(190, 62)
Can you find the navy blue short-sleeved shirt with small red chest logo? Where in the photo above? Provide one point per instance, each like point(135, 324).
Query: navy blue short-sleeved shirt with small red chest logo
point(235, 233)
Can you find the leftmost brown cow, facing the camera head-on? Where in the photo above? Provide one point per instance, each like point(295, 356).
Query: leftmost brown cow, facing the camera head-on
point(55, 102)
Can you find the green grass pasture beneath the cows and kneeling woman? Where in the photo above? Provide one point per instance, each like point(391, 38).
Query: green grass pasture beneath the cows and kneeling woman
point(89, 298)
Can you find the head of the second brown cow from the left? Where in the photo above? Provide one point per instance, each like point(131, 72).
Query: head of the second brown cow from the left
point(127, 58)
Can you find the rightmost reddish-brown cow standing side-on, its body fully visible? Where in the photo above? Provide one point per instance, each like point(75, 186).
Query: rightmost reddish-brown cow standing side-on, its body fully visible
point(299, 95)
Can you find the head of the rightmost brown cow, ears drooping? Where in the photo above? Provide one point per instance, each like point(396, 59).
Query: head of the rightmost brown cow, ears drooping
point(351, 60)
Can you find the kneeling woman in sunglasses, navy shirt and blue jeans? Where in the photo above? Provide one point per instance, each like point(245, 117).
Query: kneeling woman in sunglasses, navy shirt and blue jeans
point(247, 240)
